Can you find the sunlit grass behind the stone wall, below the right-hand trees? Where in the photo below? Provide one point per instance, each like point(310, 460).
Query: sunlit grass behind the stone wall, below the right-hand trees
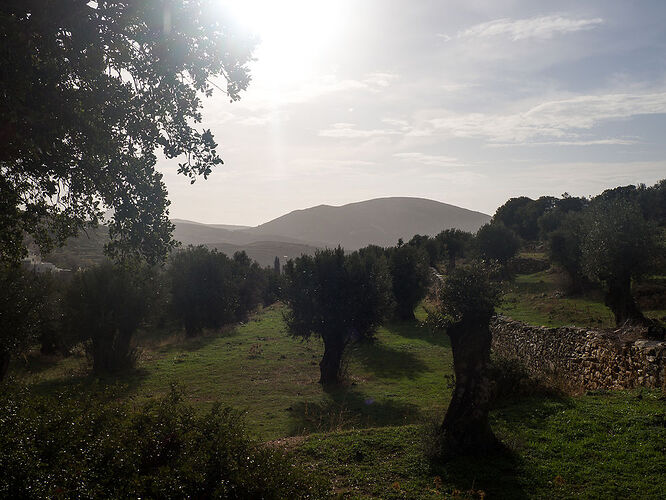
point(538, 299)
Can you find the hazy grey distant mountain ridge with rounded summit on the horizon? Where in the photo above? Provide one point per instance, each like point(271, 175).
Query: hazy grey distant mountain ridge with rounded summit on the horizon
point(381, 221)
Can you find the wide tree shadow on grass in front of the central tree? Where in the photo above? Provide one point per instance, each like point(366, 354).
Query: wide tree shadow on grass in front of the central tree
point(344, 409)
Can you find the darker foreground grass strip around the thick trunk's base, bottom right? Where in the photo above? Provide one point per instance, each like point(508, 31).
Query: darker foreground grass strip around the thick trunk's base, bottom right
point(595, 446)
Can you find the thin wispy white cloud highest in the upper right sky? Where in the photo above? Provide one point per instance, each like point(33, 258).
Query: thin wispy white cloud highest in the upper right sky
point(542, 27)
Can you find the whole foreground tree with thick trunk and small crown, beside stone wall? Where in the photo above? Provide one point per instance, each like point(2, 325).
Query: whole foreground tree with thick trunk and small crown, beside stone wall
point(468, 298)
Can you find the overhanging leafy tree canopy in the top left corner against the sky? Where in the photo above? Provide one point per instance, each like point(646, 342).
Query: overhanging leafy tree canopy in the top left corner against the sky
point(90, 91)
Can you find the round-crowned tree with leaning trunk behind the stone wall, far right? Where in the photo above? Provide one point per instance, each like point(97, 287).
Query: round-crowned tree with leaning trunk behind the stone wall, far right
point(619, 245)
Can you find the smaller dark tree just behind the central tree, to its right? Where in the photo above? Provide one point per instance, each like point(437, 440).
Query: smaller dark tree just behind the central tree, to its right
point(410, 276)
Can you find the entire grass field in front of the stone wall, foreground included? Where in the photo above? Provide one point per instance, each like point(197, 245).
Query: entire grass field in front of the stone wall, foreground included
point(369, 437)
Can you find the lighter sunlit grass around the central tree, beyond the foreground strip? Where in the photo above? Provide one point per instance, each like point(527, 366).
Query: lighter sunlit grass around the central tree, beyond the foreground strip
point(258, 368)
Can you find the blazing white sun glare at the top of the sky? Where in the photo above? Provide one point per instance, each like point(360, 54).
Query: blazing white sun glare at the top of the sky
point(293, 34)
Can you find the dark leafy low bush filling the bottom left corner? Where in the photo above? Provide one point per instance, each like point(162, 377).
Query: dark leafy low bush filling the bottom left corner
point(61, 447)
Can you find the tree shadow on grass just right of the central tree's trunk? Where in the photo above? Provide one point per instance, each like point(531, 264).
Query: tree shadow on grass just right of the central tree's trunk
point(386, 362)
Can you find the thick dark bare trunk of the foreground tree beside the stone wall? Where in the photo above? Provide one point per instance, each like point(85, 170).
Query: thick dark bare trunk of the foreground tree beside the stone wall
point(466, 429)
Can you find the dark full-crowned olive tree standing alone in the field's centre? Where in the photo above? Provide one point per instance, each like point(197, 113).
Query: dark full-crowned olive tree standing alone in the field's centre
point(338, 298)
